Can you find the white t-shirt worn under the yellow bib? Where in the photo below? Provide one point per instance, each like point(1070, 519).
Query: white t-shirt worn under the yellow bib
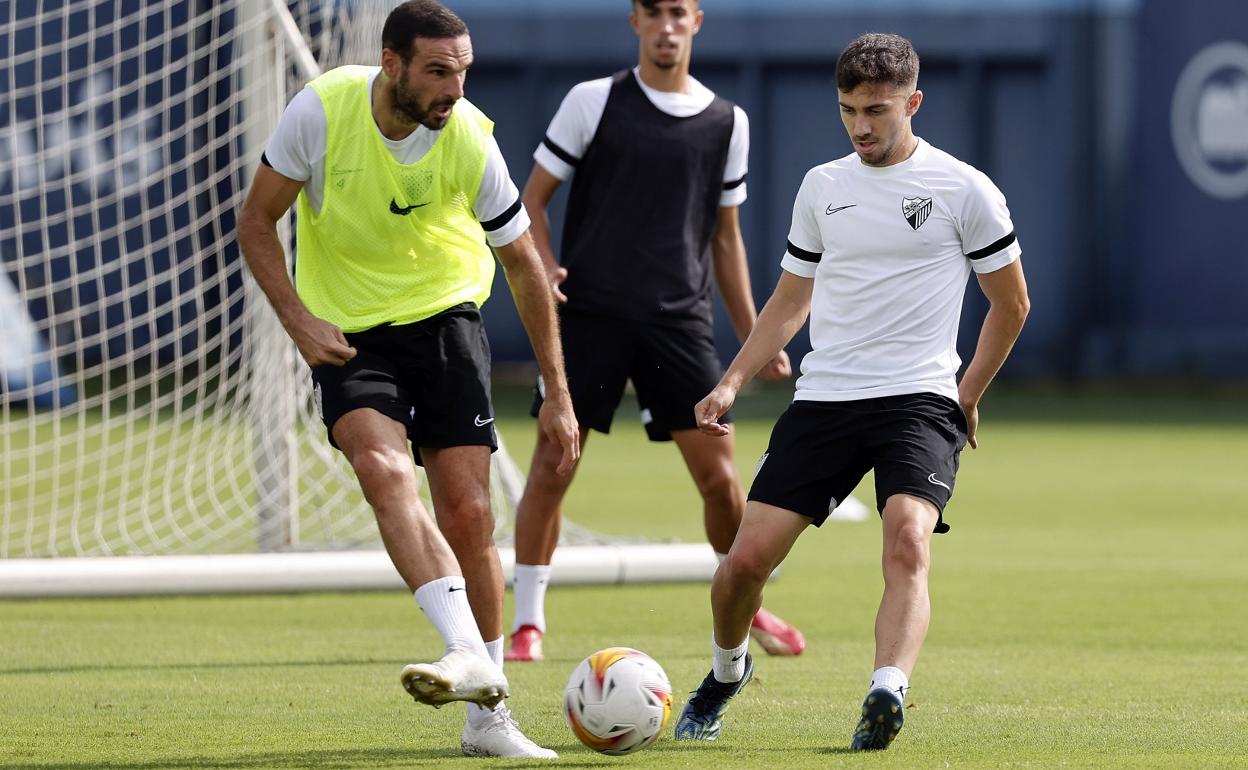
point(298, 152)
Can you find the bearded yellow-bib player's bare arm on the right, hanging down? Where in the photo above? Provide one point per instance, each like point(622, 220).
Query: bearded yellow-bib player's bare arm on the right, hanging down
point(536, 305)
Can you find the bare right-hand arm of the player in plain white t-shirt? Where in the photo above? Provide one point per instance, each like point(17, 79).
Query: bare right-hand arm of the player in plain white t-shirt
point(1007, 290)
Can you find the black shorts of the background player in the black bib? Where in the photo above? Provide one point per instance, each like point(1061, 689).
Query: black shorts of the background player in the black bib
point(672, 369)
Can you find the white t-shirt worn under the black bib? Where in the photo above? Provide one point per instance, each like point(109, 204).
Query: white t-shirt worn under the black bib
point(576, 123)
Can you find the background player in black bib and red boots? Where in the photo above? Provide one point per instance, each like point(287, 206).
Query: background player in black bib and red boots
point(658, 172)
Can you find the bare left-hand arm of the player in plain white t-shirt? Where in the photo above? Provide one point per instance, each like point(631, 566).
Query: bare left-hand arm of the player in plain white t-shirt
point(781, 320)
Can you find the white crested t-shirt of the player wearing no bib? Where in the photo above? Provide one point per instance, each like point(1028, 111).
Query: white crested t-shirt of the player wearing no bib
point(892, 251)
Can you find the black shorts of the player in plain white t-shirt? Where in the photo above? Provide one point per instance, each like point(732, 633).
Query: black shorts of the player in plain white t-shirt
point(822, 450)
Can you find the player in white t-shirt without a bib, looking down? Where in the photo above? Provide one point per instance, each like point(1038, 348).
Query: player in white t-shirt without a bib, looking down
point(884, 241)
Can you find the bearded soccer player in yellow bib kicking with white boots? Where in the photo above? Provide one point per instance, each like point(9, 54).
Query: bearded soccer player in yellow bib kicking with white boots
point(400, 188)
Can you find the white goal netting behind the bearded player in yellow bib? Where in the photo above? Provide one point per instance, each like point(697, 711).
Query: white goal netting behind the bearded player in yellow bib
point(152, 404)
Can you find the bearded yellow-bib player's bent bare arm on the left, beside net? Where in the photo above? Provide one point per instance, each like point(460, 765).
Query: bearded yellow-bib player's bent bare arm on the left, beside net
point(270, 198)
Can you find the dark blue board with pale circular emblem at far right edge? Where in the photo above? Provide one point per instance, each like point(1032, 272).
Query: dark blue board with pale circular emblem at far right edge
point(1190, 209)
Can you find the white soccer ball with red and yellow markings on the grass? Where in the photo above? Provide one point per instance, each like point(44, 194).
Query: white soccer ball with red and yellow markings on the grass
point(618, 701)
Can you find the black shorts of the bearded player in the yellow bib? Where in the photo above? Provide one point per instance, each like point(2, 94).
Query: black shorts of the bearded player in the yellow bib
point(432, 376)
